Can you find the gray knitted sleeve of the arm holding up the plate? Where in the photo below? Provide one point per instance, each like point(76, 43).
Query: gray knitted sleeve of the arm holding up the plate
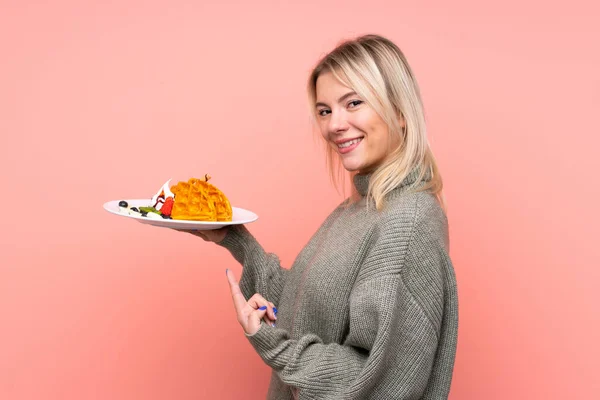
point(262, 272)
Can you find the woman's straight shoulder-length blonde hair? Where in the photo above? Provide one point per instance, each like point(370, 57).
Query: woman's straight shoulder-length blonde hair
point(377, 70)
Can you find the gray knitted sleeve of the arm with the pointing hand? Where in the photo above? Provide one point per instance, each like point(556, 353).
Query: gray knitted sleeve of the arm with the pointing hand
point(394, 324)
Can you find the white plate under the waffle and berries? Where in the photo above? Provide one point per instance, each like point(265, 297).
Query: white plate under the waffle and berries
point(240, 216)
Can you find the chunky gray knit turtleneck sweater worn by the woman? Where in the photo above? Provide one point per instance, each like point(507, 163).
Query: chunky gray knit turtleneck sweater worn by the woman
point(369, 308)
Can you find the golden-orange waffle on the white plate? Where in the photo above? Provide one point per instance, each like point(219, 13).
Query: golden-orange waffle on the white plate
point(198, 200)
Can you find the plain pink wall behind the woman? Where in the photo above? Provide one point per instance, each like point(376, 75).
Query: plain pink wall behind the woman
point(102, 101)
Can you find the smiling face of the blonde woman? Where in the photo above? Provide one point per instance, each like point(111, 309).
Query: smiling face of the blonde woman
point(350, 126)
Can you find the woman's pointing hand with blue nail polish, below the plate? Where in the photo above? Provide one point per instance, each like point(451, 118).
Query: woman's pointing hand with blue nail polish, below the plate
point(250, 313)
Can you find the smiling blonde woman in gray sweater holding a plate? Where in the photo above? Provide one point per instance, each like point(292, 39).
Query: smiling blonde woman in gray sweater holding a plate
point(369, 308)
